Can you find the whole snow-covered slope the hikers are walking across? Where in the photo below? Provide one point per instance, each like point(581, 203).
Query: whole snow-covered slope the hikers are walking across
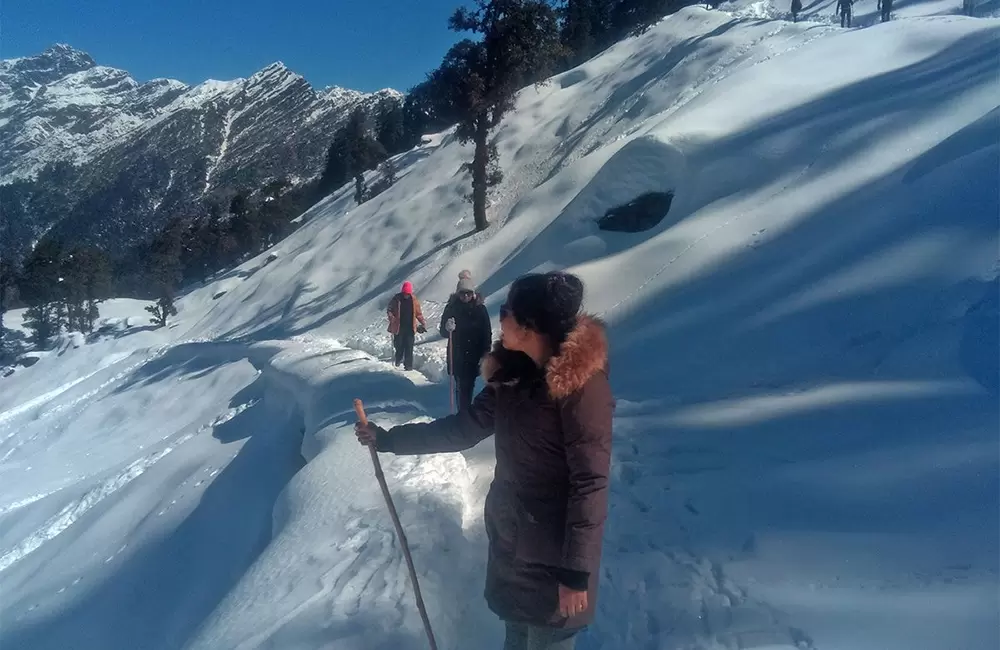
point(803, 353)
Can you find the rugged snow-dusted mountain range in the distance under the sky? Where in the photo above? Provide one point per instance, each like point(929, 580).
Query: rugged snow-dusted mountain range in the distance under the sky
point(112, 158)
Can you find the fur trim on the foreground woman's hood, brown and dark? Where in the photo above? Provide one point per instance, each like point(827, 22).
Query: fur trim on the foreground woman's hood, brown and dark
point(583, 355)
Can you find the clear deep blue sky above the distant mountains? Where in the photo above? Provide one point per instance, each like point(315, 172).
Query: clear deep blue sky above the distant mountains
point(362, 44)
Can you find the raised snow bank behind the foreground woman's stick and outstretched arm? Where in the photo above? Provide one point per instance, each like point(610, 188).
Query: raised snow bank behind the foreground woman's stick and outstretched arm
point(333, 548)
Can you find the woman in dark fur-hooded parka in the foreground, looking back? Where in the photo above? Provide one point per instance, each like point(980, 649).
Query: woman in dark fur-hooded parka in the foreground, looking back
point(548, 403)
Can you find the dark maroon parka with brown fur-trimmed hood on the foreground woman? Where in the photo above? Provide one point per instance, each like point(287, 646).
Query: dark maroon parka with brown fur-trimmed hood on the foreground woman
point(547, 505)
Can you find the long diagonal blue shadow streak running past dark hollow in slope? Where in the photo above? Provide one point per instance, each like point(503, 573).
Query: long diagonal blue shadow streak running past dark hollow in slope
point(828, 130)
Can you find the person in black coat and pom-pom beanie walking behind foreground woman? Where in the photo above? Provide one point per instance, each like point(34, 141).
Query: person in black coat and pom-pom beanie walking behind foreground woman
point(466, 324)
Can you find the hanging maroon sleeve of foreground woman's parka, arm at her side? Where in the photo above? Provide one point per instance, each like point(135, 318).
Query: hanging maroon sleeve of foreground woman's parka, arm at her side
point(586, 419)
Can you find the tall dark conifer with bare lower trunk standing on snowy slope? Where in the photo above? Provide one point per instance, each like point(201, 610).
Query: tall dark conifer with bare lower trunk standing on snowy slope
point(520, 44)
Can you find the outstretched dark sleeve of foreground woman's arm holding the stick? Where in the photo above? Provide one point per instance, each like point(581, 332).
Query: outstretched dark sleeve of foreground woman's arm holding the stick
point(452, 433)
